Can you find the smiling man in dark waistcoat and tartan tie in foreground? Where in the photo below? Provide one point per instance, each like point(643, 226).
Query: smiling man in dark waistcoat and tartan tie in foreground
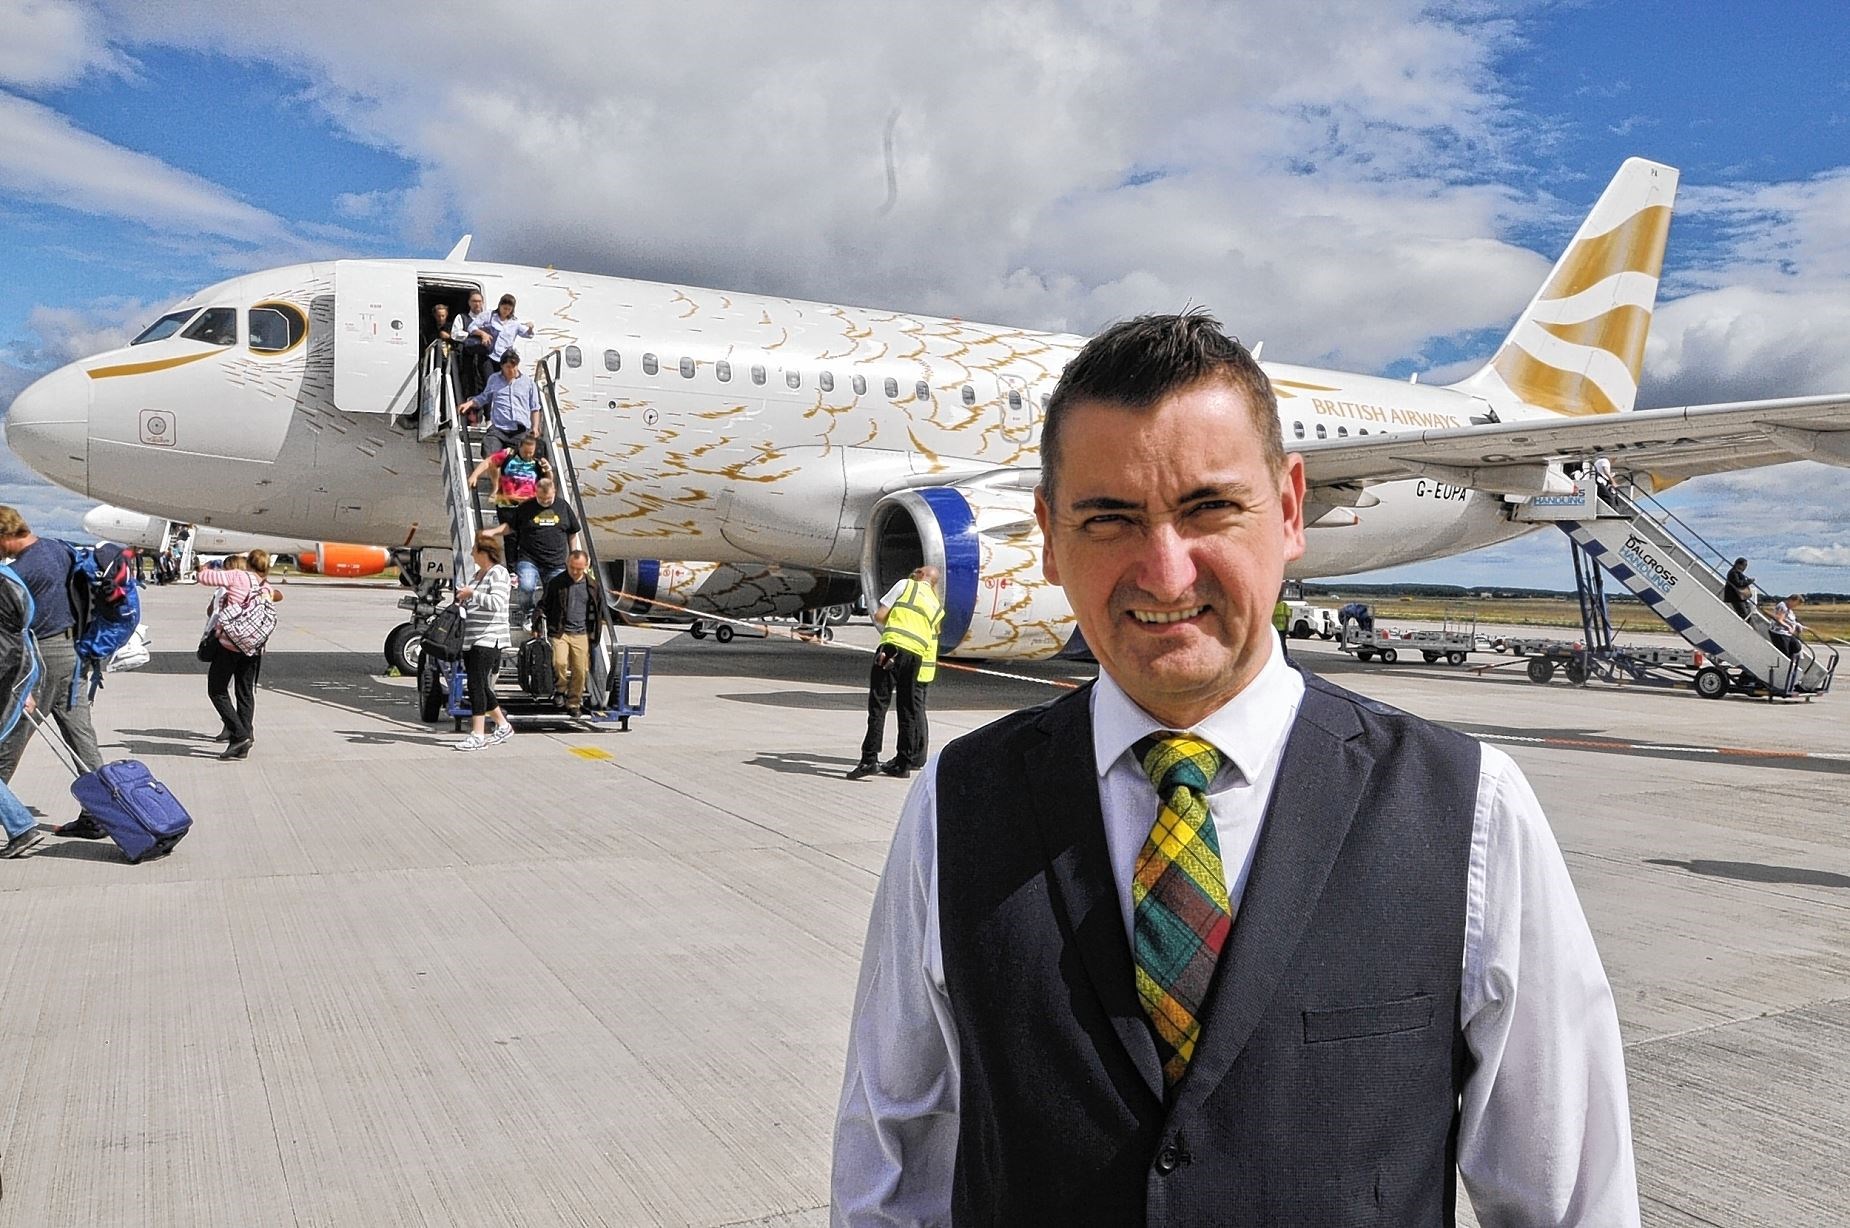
point(1211, 940)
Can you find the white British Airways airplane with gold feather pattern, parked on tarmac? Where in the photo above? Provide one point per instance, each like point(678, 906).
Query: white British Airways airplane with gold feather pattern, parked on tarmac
point(811, 443)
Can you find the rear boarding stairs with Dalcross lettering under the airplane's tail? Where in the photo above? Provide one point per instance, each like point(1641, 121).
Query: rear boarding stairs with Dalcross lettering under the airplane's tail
point(1679, 576)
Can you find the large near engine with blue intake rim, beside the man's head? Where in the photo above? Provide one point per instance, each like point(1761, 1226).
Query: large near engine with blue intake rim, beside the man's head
point(983, 539)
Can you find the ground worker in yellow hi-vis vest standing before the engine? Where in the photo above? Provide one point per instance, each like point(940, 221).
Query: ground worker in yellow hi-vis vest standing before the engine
point(906, 665)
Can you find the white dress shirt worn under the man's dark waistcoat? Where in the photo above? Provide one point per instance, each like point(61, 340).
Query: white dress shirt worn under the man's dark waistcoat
point(1546, 1133)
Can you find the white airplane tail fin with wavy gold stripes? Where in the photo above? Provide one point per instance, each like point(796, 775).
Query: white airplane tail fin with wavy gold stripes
point(1581, 343)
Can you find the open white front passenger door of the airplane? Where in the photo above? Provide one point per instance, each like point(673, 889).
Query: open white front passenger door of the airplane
point(376, 338)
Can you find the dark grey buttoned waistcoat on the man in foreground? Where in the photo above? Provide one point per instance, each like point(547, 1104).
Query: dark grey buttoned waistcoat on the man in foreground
point(1326, 1087)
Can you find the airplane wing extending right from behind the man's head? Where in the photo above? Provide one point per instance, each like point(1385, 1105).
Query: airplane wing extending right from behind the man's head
point(1668, 443)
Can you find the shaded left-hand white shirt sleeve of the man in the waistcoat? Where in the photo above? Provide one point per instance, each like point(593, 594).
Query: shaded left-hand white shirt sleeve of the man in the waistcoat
point(896, 1127)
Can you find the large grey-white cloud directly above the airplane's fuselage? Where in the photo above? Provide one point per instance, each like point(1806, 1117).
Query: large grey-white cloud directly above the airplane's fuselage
point(1320, 164)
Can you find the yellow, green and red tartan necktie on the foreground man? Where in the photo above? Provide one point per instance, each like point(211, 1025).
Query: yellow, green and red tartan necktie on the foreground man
point(1181, 915)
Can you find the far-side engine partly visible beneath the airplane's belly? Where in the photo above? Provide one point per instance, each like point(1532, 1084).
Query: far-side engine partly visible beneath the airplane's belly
point(730, 589)
